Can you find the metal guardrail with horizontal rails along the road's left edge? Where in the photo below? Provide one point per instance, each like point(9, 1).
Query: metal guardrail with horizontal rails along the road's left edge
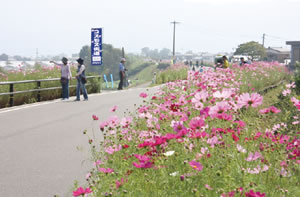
point(38, 89)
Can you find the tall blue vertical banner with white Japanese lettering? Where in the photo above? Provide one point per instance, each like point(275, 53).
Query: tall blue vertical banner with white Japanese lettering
point(96, 46)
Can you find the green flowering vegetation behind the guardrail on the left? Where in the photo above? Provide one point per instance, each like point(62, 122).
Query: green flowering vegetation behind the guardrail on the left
point(39, 73)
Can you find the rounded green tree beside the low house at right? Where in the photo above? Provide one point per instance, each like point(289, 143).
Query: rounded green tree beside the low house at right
point(252, 49)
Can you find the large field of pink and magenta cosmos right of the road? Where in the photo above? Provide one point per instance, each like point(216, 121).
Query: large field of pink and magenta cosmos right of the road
point(221, 132)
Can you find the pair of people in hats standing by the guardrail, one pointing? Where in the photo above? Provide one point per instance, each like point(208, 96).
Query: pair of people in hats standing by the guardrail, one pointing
point(66, 77)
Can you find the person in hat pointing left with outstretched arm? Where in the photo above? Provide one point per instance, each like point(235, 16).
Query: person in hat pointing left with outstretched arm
point(66, 76)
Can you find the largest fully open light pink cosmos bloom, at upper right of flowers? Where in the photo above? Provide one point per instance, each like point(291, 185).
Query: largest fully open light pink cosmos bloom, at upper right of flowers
point(253, 100)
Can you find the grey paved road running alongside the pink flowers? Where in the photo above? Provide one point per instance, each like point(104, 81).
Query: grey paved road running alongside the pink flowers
point(42, 148)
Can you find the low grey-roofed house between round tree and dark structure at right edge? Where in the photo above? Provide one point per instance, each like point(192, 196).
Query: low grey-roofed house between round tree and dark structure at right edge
point(278, 54)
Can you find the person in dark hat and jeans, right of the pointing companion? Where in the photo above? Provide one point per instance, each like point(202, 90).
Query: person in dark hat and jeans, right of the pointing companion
point(81, 80)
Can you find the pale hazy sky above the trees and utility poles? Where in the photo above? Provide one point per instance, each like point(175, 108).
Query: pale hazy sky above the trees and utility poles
point(63, 26)
